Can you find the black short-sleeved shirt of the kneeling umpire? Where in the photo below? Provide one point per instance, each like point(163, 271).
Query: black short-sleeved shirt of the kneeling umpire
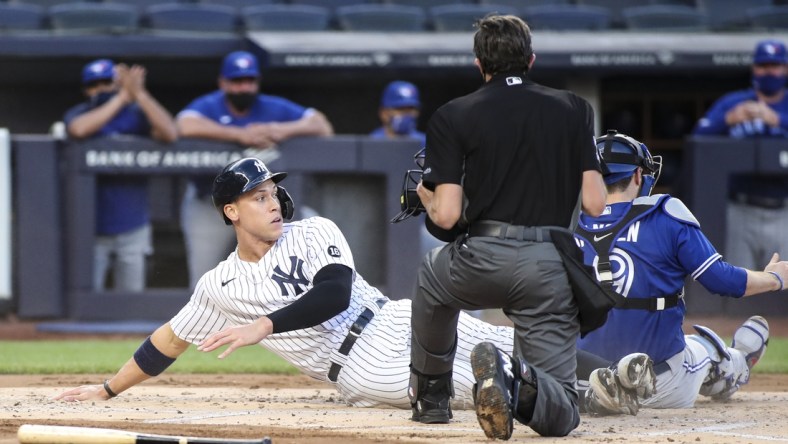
point(518, 148)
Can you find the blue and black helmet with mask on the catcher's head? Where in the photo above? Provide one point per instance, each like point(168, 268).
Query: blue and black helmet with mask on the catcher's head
point(622, 155)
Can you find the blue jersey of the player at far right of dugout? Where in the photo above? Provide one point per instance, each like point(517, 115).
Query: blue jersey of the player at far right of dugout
point(713, 123)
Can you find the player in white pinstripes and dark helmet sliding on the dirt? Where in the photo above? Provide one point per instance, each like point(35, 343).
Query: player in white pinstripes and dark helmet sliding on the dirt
point(292, 288)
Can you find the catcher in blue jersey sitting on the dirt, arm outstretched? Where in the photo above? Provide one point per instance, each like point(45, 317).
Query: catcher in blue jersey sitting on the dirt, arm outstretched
point(644, 246)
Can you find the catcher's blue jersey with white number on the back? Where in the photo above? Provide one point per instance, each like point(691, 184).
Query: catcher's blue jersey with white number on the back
point(650, 257)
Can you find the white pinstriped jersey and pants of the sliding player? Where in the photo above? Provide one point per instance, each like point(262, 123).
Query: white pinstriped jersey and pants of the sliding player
point(376, 370)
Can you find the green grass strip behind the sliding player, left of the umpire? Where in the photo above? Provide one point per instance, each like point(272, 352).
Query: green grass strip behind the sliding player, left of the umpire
point(107, 356)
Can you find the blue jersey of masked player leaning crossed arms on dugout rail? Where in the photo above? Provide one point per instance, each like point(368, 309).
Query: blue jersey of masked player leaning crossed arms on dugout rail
point(264, 110)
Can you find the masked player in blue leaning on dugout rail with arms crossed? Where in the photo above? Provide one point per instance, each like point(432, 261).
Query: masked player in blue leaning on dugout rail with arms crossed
point(236, 113)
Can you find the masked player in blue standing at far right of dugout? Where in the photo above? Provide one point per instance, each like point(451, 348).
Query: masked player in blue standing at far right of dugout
point(757, 212)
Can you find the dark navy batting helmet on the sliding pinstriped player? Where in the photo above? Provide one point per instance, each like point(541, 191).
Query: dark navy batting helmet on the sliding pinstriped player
point(242, 176)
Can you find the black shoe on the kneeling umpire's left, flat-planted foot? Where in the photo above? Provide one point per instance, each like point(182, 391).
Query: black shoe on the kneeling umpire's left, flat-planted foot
point(430, 397)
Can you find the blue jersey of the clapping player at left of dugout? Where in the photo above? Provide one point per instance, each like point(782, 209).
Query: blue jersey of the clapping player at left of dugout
point(121, 201)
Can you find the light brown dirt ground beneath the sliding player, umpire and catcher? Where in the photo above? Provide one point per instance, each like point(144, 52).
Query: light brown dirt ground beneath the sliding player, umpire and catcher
point(297, 409)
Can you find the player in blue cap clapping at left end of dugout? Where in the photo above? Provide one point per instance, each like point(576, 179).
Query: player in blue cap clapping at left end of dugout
point(119, 103)
